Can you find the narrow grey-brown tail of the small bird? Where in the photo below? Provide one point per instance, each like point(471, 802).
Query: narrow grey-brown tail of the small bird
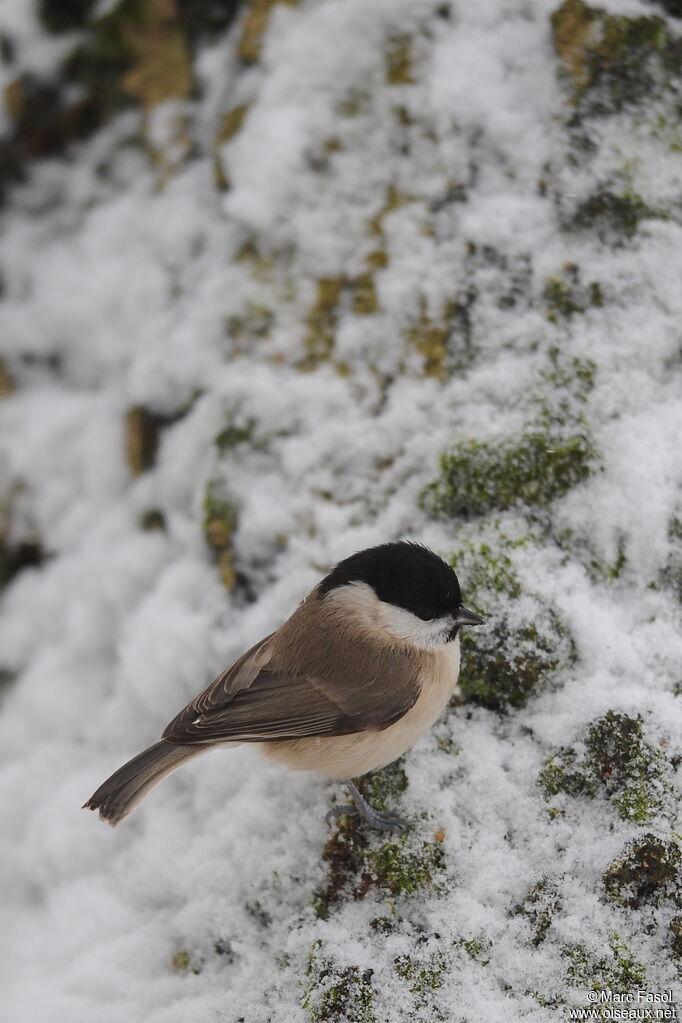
point(124, 790)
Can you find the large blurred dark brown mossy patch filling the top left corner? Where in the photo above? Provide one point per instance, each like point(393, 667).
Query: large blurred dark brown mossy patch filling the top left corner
point(138, 53)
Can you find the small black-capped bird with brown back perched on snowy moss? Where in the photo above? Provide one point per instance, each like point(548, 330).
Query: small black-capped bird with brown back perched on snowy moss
point(362, 669)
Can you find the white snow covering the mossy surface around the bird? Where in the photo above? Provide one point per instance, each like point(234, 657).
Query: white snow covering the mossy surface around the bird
point(139, 289)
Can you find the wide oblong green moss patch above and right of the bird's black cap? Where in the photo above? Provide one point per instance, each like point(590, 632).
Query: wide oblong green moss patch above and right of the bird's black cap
point(532, 469)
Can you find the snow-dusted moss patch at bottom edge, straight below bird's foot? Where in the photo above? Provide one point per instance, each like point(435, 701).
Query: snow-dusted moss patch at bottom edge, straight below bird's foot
point(337, 995)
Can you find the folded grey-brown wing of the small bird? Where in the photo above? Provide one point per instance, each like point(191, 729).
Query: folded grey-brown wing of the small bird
point(265, 697)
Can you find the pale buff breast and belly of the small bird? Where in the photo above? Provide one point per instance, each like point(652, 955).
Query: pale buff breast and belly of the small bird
point(351, 757)
